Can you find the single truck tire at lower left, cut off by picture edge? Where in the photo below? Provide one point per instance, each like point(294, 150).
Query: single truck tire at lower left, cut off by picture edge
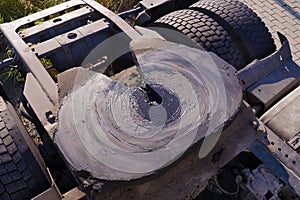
point(20, 174)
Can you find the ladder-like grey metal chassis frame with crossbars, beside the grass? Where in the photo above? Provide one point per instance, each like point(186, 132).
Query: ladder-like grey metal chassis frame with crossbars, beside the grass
point(66, 49)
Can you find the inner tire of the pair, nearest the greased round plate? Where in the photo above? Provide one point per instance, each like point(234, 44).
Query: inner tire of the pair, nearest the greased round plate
point(205, 31)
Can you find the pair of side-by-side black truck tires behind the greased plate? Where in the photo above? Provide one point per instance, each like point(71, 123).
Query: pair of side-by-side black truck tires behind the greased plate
point(228, 28)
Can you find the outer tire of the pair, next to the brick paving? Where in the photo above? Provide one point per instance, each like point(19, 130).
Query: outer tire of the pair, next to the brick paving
point(241, 23)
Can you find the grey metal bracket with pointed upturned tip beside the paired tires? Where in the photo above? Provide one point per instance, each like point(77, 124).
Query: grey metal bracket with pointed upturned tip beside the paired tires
point(268, 80)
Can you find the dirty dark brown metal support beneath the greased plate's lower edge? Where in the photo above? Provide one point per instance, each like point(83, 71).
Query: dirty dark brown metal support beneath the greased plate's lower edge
point(189, 176)
